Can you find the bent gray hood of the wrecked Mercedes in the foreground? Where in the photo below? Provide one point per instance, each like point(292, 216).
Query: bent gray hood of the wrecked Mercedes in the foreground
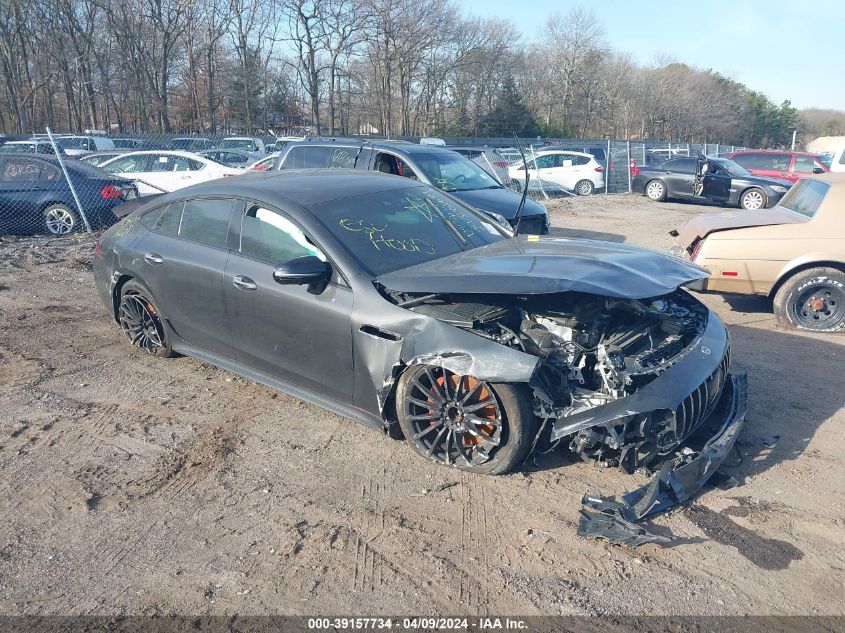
point(529, 264)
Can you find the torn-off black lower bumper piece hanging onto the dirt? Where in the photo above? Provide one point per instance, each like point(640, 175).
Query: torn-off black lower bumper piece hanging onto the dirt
point(678, 480)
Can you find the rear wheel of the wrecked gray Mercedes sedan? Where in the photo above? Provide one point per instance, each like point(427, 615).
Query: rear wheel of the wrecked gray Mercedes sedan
point(142, 322)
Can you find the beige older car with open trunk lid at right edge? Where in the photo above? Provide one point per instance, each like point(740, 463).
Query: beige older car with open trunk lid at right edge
point(793, 252)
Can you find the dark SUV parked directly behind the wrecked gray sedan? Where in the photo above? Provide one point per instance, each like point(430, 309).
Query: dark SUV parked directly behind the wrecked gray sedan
point(441, 168)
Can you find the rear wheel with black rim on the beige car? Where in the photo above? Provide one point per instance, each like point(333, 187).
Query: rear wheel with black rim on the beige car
point(812, 300)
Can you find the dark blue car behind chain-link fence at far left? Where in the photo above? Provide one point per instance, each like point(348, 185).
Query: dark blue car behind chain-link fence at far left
point(35, 196)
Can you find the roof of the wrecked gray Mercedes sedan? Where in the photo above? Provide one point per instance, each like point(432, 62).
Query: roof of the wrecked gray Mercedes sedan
point(301, 186)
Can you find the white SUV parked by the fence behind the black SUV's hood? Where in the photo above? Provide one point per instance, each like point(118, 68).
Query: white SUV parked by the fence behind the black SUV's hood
point(576, 172)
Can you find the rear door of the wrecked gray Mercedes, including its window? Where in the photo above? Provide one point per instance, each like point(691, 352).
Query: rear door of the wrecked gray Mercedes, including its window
point(184, 259)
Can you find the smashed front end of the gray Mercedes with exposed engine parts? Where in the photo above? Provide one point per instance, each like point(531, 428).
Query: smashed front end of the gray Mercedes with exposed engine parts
point(638, 384)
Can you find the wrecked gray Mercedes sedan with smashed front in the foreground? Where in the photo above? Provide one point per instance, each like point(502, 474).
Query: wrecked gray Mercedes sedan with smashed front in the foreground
point(392, 303)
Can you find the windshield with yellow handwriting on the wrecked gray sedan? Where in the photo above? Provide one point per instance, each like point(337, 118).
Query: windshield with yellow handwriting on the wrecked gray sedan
point(389, 230)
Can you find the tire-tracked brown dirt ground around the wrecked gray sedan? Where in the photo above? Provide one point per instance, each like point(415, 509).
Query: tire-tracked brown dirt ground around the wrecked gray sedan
point(136, 485)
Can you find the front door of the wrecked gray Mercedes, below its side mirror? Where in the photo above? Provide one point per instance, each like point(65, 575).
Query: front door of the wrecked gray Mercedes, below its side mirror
point(289, 332)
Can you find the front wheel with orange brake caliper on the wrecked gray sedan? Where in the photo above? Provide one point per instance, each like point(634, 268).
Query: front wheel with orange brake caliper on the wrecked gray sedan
point(441, 424)
